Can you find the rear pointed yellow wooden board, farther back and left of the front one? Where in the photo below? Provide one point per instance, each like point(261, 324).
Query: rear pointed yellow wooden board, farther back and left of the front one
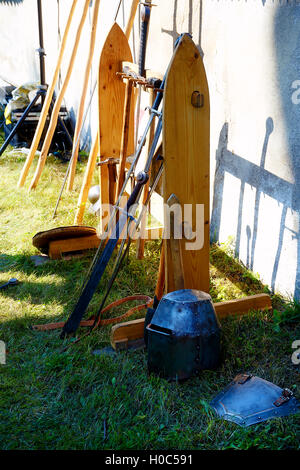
point(111, 93)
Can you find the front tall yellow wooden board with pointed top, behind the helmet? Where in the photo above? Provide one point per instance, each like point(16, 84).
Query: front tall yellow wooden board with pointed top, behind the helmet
point(186, 124)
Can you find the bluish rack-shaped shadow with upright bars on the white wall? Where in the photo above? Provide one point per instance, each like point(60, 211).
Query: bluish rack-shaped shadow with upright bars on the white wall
point(264, 182)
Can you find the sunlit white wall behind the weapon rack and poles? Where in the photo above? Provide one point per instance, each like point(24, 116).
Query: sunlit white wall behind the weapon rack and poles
point(251, 54)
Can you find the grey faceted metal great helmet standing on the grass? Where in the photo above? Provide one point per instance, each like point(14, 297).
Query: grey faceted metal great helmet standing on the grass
point(184, 335)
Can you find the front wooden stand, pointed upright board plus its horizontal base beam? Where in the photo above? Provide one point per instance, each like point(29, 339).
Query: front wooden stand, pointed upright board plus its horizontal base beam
point(186, 123)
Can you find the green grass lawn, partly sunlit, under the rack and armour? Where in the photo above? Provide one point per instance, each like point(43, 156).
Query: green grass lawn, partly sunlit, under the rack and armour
point(76, 400)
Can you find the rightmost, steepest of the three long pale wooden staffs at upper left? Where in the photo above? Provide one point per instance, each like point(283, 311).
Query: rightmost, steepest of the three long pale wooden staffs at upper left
point(83, 96)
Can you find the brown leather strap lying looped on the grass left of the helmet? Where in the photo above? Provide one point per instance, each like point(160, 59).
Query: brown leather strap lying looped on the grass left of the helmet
point(90, 322)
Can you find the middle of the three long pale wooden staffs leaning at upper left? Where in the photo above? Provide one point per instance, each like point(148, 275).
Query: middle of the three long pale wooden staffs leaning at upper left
point(56, 109)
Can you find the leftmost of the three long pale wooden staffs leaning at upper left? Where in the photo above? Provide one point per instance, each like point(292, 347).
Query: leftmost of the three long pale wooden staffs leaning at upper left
point(47, 102)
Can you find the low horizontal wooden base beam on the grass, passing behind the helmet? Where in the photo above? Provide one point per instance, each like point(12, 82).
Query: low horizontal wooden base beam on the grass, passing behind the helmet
point(133, 330)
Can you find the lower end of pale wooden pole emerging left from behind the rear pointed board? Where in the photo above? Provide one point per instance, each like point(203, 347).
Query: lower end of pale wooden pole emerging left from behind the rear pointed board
point(87, 181)
